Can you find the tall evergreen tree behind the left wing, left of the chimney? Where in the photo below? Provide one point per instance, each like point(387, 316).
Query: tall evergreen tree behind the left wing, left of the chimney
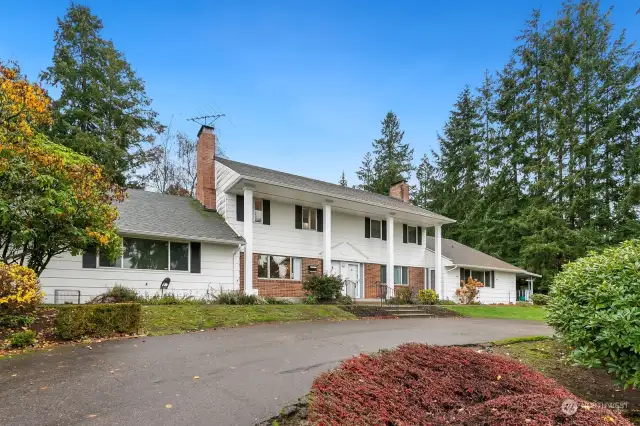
point(103, 110)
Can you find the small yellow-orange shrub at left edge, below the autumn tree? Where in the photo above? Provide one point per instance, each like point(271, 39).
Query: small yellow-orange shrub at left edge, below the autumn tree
point(20, 291)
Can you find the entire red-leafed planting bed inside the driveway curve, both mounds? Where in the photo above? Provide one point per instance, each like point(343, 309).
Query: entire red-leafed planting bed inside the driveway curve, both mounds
point(418, 384)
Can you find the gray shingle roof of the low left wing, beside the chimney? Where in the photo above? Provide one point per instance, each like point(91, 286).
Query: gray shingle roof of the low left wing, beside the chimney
point(161, 215)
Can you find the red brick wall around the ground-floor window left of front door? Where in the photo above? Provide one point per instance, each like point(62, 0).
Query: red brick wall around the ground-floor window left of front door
point(279, 288)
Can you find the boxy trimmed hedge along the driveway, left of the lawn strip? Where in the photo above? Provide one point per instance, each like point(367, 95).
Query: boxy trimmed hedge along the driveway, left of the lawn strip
point(100, 320)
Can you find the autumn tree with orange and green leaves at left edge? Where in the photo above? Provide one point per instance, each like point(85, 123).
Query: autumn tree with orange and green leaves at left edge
point(52, 200)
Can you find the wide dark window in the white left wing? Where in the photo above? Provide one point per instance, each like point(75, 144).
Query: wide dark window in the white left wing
point(139, 253)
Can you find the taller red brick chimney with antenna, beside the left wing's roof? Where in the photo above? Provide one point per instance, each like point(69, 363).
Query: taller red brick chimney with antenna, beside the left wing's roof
point(205, 164)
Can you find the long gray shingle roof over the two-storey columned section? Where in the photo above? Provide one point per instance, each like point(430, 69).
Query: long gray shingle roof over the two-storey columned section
point(329, 189)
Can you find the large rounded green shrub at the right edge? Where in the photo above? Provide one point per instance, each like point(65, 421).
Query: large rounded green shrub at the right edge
point(594, 305)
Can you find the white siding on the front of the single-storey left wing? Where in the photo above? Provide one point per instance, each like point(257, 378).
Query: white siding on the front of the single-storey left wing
point(65, 272)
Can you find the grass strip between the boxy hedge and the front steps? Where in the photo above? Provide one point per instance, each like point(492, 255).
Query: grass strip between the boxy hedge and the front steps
point(160, 320)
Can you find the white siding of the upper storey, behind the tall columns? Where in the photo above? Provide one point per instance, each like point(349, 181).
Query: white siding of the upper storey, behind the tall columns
point(281, 237)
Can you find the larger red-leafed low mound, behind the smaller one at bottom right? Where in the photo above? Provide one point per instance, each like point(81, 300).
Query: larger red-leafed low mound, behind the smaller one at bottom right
point(425, 385)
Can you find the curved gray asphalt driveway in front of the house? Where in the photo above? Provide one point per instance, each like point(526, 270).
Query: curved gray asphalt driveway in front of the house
point(245, 374)
